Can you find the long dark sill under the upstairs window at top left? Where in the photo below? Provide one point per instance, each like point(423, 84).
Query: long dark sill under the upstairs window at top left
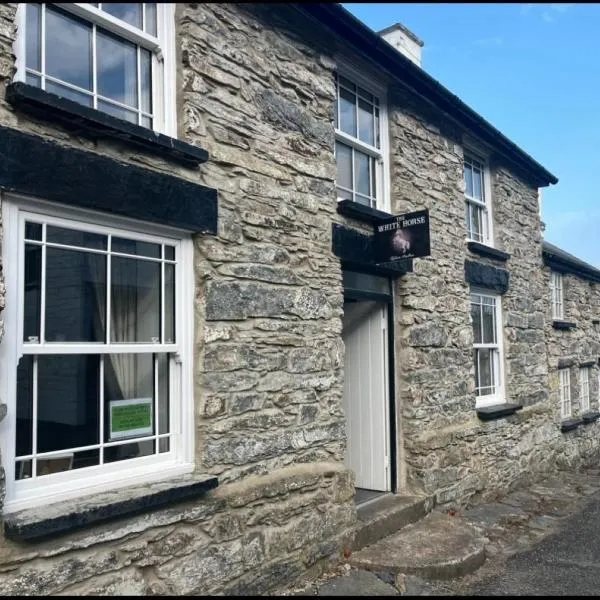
point(95, 124)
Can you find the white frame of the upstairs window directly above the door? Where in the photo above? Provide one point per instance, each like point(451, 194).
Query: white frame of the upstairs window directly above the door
point(379, 90)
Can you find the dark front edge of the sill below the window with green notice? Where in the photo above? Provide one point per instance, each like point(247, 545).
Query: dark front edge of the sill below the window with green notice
point(19, 527)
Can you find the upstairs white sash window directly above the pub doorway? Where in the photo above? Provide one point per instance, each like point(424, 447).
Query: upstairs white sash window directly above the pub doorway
point(359, 144)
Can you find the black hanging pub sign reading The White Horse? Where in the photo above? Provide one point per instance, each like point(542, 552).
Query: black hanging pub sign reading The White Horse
point(402, 236)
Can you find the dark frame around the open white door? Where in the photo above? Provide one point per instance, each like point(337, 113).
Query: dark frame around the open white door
point(388, 300)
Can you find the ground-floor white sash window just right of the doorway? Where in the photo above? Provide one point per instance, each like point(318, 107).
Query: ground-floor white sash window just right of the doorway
point(487, 348)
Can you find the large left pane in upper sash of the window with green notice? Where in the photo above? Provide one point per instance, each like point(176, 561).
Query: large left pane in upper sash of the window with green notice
point(75, 296)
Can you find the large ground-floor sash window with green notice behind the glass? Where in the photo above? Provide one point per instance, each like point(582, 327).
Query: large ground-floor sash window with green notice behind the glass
point(95, 359)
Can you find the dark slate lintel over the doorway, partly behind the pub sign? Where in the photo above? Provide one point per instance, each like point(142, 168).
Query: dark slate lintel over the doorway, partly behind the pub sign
point(355, 250)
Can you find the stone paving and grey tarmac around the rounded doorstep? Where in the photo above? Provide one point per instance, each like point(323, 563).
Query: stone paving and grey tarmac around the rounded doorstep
point(539, 540)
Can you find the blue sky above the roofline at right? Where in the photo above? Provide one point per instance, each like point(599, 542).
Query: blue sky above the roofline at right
point(533, 71)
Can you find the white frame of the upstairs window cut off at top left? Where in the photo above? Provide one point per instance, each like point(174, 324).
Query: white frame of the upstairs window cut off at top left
point(162, 48)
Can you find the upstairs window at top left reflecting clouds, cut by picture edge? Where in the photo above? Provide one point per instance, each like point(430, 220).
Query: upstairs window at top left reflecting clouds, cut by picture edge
point(116, 58)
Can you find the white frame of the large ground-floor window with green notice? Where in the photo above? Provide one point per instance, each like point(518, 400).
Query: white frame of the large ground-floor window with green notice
point(57, 487)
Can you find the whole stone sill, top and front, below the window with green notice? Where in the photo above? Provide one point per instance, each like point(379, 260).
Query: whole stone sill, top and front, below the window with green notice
point(64, 517)
